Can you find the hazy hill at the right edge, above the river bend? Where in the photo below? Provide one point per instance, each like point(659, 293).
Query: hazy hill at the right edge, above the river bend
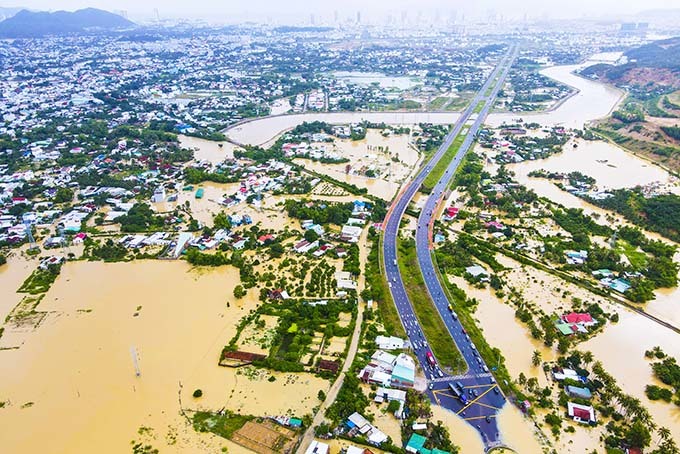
point(656, 64)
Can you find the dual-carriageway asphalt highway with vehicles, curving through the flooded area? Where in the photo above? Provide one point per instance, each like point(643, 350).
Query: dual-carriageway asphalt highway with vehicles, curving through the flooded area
point(483, 399)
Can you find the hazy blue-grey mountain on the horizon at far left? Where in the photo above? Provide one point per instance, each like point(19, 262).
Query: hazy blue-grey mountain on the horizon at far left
point(27, 24)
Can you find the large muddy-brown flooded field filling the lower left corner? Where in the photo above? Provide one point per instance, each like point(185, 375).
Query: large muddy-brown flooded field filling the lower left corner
point(71, 387)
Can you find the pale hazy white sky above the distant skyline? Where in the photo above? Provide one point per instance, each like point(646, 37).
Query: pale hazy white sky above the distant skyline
point(304, 8)
